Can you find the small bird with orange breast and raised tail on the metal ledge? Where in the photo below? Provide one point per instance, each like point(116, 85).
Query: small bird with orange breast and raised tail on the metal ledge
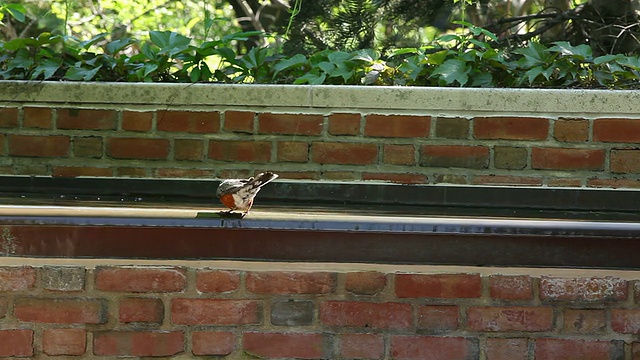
point(238, 194)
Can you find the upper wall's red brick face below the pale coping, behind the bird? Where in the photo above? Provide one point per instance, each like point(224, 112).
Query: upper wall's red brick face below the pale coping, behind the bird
point(494, 150)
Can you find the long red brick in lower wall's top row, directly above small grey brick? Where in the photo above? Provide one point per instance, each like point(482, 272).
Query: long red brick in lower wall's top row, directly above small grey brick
point(276, 282)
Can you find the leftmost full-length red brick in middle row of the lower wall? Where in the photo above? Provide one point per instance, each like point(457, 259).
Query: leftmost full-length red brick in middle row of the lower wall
point(61, 311)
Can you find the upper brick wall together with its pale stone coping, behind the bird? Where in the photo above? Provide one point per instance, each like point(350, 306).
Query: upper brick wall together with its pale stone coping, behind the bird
point(574, 138)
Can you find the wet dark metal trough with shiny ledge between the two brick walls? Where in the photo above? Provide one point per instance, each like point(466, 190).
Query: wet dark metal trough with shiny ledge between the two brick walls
point(321, 222)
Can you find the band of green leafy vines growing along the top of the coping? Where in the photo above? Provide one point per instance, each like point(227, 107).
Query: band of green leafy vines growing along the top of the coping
point(465, 58)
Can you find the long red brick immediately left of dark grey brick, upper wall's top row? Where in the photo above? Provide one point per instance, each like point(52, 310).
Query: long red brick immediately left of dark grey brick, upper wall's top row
point(403, 126)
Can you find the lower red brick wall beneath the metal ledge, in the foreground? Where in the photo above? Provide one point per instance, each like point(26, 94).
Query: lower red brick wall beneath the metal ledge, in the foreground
point(166, 311)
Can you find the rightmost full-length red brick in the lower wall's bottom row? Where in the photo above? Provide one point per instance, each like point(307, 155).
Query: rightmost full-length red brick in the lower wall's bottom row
point(565, 349)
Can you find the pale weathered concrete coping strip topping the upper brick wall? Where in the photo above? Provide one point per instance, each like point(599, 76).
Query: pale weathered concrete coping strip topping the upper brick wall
point(328, 98)
